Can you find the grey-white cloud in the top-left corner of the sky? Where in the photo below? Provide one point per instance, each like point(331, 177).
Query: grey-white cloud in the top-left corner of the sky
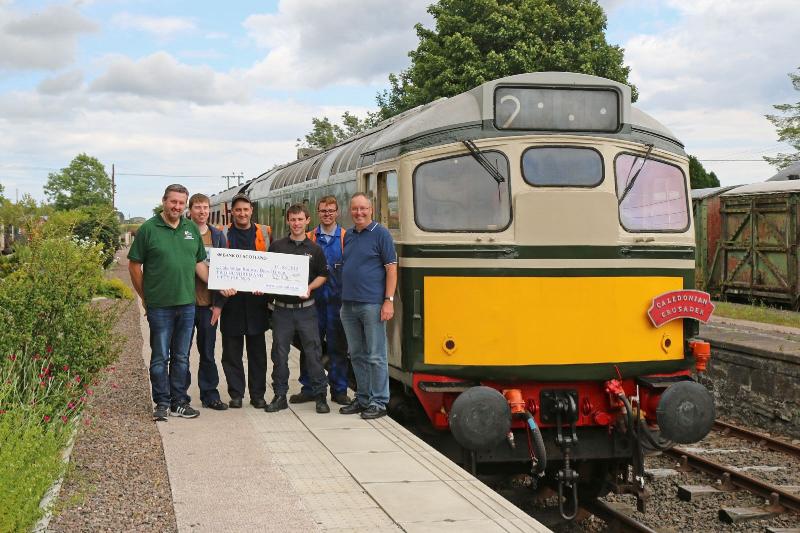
point(42, 40)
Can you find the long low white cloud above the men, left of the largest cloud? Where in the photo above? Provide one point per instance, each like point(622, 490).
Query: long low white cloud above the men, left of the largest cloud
point(161, 76)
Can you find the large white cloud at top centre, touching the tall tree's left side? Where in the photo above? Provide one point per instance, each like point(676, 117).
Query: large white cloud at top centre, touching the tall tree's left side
point(317, 43)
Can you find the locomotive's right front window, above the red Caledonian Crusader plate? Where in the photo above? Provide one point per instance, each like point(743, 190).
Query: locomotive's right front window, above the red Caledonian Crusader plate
point(656, 201)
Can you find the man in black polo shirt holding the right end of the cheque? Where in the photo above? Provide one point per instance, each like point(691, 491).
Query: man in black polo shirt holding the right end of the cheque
point(298, 314)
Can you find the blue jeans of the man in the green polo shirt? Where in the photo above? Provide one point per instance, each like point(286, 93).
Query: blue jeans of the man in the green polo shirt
point(170, 339)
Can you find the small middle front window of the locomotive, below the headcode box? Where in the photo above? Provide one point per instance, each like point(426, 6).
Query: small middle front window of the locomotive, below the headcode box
point(562, 167)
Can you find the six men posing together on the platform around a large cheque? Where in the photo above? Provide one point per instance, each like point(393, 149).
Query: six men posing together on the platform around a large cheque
point(351, 285)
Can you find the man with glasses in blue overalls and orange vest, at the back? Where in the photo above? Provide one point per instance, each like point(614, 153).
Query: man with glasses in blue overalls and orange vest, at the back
point(329, 236)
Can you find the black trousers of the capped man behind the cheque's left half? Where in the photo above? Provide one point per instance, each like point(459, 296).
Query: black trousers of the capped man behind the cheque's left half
point(232, 352)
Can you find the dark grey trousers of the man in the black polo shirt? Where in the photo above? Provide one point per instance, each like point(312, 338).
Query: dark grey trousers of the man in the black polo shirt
point(285, 323)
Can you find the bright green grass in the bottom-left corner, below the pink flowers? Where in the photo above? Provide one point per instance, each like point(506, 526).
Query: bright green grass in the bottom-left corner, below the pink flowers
point(31, 459)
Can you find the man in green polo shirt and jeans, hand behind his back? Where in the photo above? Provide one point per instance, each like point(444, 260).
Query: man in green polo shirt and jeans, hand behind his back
point(165, 256)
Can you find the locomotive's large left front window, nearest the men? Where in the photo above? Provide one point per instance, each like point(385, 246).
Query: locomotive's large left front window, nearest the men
point(458, 194)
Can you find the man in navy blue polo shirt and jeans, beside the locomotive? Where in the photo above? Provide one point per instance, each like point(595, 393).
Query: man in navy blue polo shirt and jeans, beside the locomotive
point(369, 279)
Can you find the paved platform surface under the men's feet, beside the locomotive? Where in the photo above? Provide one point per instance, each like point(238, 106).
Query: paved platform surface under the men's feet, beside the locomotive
point(296, 470)
